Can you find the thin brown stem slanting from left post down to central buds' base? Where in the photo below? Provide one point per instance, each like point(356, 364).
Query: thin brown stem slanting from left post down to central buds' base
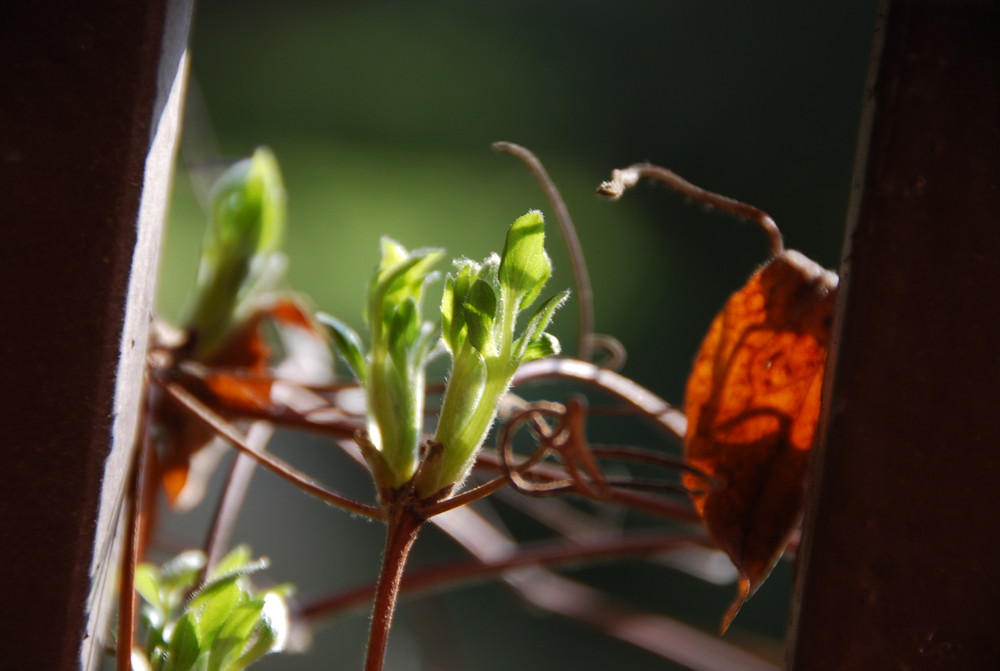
point(277, 466)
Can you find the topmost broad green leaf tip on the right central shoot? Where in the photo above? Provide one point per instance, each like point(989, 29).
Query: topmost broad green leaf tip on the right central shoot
point(524, 266)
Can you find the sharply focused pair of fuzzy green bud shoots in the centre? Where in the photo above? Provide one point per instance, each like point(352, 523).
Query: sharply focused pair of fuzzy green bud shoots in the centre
point(479, 316)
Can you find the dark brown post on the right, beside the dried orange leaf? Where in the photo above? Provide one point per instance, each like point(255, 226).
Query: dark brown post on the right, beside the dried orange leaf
point(898, 569)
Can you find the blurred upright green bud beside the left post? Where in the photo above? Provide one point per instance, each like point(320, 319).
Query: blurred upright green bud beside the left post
point(241, 256)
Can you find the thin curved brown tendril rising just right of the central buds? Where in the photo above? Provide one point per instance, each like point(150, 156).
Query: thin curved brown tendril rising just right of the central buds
point(584, 292)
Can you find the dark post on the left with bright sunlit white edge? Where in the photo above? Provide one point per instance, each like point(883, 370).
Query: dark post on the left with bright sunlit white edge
point(89, 111)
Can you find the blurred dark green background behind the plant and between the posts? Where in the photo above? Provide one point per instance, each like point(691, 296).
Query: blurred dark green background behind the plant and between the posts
point(382, 115)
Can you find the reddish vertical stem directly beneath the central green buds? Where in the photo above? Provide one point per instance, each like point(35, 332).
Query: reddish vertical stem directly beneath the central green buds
point(404, 525)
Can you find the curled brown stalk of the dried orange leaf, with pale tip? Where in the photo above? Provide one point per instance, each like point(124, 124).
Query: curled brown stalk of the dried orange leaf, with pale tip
point(625, 178)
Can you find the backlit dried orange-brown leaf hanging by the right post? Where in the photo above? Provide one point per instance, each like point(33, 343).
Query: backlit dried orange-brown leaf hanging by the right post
point(753, 402)
